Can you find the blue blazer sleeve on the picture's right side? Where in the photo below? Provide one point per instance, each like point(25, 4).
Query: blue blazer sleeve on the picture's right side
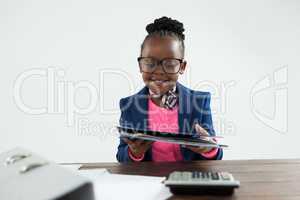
point(207, 123)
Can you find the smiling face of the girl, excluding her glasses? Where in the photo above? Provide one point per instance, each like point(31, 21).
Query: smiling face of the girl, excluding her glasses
point(159, 48)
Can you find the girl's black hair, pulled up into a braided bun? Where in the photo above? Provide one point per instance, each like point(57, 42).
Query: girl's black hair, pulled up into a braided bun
point(166, 26)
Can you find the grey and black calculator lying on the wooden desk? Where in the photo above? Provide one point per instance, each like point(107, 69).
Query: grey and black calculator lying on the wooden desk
point(196, 182)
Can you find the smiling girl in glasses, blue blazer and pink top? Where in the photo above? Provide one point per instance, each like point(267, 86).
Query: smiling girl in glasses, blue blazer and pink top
point(164, 104)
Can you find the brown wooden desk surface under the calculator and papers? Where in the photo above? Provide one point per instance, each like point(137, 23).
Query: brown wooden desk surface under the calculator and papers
point(260, 179)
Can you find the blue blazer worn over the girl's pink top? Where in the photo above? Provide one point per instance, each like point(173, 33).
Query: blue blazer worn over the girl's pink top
point(194, 107)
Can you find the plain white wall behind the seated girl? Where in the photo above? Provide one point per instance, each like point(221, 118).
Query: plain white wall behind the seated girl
point(245, 53)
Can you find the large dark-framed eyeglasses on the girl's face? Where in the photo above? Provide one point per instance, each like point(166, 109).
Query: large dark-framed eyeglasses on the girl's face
point(169, 65)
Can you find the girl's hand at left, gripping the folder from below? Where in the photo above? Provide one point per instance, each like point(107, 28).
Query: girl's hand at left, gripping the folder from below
point(138, 147)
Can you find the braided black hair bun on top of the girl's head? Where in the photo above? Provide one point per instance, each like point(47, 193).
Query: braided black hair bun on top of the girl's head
point(166, 24)
